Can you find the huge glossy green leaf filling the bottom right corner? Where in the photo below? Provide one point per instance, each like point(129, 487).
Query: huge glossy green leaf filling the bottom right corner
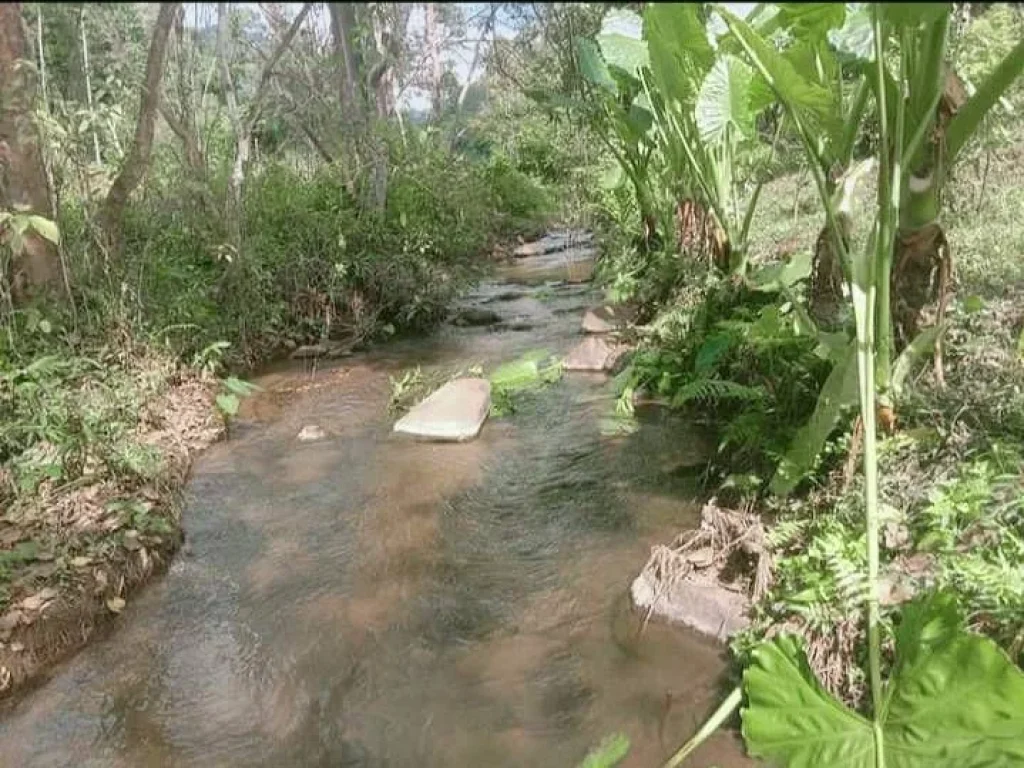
point(955, 701)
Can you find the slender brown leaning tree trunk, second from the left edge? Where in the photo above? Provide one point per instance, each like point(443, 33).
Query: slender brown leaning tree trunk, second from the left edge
point(138, 162)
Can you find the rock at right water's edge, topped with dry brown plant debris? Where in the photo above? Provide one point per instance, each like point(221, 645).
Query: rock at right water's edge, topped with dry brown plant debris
point(705, 607)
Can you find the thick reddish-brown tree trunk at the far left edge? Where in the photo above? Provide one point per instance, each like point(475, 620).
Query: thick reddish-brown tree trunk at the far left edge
point(23, 177)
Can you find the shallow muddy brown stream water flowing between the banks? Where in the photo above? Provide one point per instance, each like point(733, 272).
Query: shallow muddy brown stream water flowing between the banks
point(372, 602)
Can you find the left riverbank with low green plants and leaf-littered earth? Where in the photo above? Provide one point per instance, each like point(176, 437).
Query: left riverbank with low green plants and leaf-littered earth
point(92, 518)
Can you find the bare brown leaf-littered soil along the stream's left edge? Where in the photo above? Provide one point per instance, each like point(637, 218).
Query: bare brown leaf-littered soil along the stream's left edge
point(91, 546)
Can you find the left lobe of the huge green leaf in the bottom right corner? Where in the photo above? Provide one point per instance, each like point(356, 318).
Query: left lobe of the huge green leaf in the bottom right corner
point(792, 720)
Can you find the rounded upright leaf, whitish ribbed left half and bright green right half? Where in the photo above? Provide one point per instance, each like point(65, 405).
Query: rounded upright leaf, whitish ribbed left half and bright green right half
point(724, 101)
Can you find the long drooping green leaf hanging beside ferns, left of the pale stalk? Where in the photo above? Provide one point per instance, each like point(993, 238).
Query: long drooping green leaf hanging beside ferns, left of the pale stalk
point(839, 392)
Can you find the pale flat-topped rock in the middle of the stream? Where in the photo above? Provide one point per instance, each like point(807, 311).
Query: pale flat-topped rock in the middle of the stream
point(456, 412)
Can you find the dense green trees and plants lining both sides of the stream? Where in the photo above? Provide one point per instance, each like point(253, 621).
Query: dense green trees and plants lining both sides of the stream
point(815, 209)
